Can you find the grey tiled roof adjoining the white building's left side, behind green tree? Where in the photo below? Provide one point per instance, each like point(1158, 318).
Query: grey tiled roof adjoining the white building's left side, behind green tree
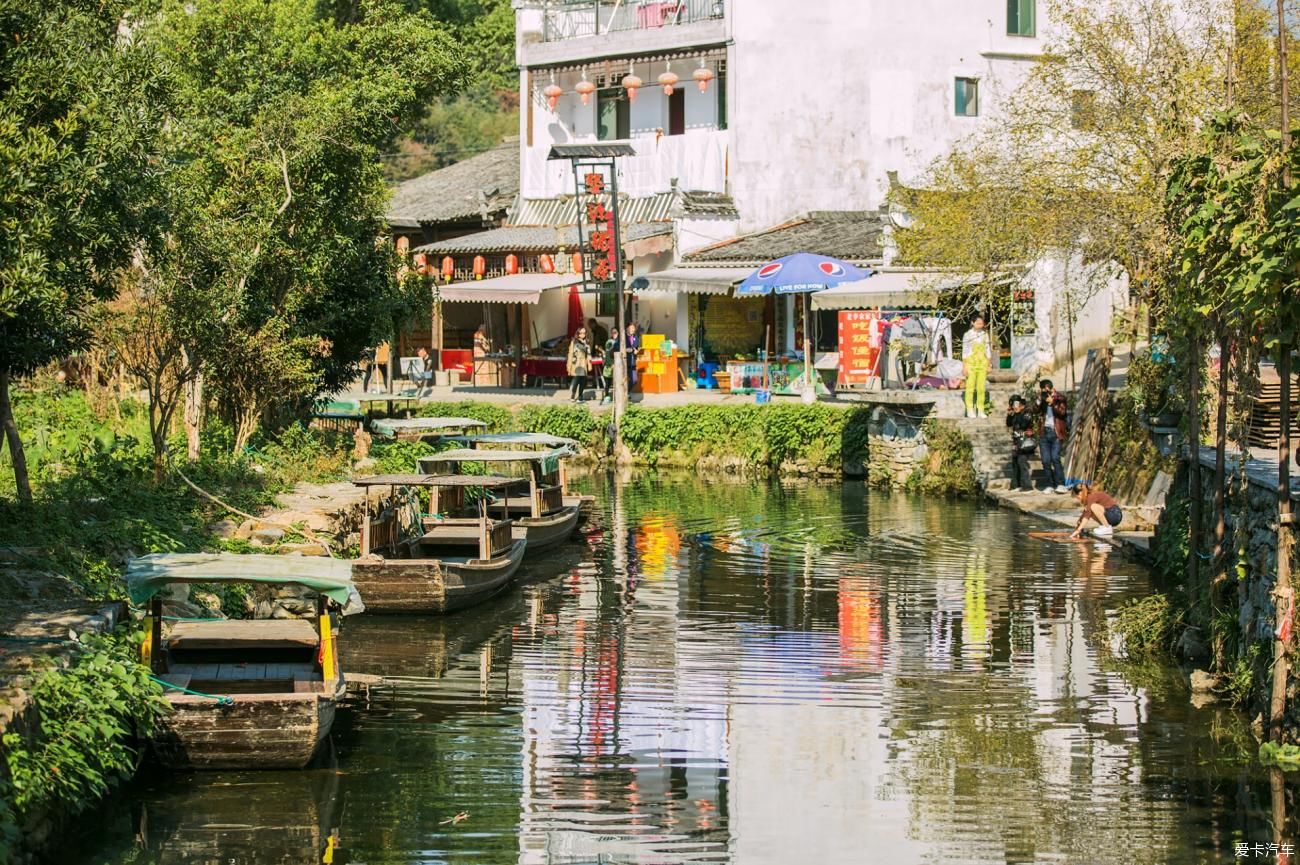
point(480, 187)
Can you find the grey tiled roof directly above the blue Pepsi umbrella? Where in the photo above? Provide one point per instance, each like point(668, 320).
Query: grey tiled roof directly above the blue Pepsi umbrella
point(855, 236)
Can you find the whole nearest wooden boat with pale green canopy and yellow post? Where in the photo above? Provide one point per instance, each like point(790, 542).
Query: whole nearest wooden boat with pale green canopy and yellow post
point(257, 694)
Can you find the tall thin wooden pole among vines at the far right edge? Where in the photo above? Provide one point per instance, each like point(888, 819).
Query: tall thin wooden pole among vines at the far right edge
point(1284, 594)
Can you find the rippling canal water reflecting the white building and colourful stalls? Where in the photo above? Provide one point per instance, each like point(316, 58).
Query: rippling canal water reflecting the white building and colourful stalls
point(748, 673)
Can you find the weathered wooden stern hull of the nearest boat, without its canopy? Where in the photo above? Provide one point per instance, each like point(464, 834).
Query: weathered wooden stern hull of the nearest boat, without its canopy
point(257, 732)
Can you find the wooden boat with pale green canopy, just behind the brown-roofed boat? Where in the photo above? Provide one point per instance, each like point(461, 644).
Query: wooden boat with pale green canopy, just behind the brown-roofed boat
point(543, 520)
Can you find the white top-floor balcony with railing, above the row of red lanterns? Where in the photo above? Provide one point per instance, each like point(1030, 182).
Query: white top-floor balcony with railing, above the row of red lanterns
point(557, 32)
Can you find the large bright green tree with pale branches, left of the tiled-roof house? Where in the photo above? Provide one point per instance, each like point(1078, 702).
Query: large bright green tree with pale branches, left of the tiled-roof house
point(278, 198)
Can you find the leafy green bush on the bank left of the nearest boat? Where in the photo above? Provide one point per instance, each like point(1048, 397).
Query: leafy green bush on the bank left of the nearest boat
point(90, 713)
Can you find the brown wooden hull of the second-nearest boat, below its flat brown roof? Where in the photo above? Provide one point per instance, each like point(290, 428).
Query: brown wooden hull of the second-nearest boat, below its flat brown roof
point(431, 586)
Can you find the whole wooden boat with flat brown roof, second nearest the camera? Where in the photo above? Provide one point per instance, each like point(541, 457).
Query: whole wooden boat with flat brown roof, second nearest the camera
point(439, 561)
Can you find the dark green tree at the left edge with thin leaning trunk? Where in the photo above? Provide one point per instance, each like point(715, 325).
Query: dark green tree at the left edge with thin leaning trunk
point(79, 161)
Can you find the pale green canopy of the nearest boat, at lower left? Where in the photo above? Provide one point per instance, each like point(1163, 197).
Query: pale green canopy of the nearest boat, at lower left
point(331, 577)
